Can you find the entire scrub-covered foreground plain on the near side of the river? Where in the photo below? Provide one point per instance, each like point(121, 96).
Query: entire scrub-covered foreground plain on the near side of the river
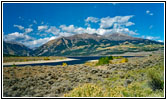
point(134, 78)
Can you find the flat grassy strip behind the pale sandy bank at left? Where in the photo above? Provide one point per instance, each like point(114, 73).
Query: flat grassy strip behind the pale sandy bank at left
point(24, 59)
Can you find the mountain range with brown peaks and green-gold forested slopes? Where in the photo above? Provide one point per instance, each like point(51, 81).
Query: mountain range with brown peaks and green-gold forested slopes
point(86, 45)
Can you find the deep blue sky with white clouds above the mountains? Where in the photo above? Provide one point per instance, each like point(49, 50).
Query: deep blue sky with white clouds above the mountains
point(34, 24)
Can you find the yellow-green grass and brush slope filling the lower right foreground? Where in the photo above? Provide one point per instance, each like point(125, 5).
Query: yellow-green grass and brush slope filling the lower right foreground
point(147, 82)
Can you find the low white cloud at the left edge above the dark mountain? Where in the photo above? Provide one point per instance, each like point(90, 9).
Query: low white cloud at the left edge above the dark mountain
point(16, 36)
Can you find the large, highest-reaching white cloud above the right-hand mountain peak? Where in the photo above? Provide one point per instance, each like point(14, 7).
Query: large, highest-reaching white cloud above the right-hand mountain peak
point(119, 21)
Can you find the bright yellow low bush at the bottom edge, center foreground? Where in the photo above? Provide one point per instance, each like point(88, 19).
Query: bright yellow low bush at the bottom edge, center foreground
point(93, 90)
